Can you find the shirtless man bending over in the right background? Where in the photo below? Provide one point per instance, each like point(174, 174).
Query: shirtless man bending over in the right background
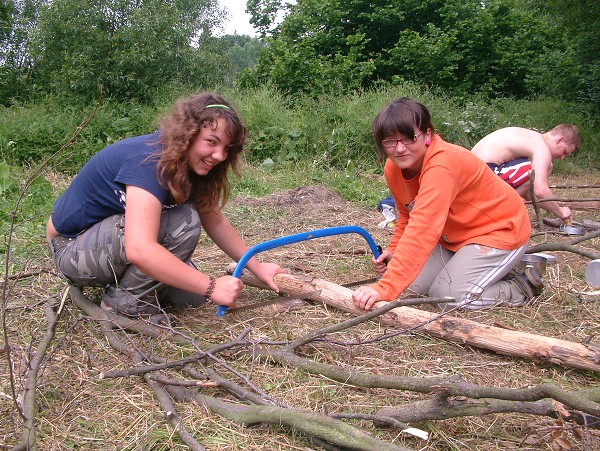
point(512, 152)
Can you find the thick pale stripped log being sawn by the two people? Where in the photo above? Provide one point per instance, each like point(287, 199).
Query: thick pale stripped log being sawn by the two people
point(503, 341)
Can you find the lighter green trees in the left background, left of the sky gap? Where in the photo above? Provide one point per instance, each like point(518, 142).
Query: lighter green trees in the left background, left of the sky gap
point(124, 49)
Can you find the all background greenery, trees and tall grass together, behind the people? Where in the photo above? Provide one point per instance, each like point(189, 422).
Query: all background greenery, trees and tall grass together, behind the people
point(310, 85)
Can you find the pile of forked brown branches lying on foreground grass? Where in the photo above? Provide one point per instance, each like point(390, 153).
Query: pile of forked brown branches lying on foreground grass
point(449, 397)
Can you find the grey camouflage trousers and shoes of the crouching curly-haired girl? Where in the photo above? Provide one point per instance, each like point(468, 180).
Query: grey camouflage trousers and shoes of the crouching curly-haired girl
point(97, 257)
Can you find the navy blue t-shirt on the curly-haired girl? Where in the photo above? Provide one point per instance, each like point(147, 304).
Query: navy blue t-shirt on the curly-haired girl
point(98, 191)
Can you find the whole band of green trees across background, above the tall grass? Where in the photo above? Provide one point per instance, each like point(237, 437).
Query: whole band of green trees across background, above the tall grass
point(131, 49)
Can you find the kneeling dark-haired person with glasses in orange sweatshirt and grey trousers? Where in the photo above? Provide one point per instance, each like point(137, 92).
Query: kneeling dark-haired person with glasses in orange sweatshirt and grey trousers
point(460, 228)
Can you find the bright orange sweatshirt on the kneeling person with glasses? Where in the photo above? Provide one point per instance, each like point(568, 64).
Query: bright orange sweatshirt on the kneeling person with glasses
point(456, 200)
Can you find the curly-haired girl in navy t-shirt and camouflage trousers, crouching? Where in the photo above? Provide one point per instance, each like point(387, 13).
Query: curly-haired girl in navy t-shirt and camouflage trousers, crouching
point(131, 219)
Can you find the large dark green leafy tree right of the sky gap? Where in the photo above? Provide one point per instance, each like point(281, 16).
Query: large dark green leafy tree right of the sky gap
point(462, 45)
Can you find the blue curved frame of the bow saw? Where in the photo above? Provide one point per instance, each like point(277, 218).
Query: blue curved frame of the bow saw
point(290, 239)
